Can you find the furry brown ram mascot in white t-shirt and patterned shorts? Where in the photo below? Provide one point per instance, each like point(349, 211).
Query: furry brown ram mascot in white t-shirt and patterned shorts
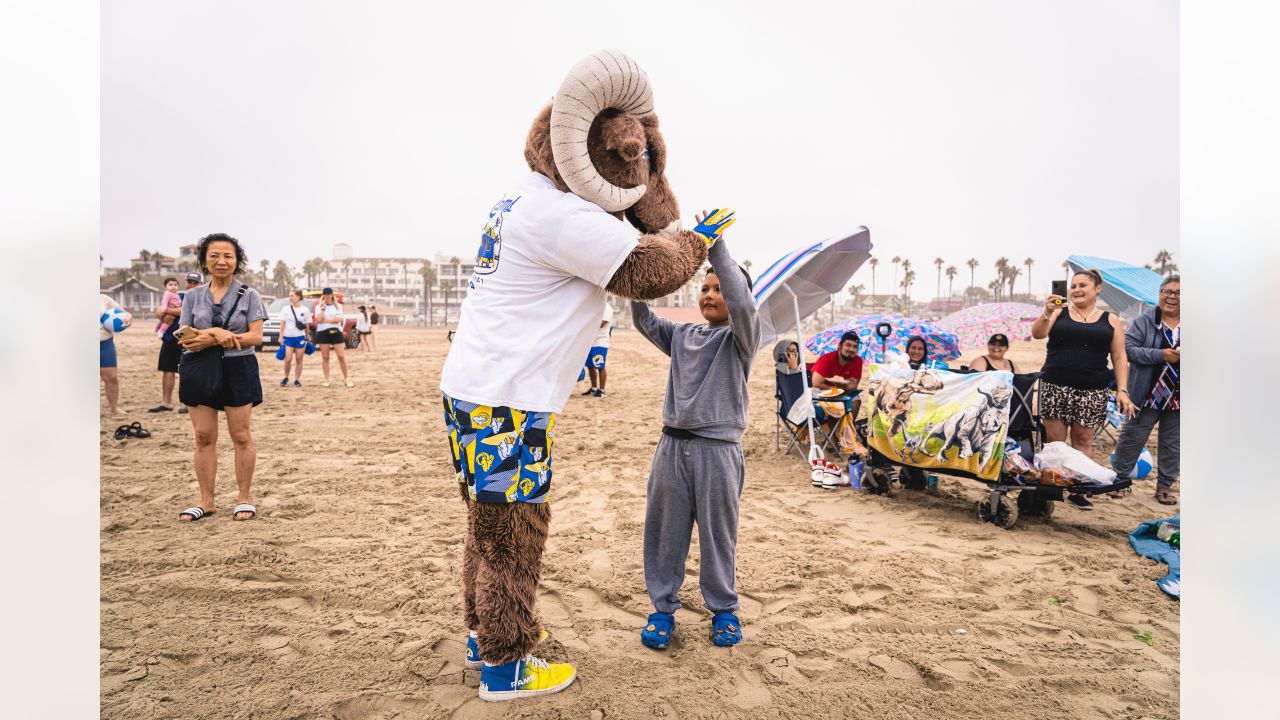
point(596, 216)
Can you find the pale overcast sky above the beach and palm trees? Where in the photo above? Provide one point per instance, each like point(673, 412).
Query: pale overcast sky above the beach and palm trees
point(954, 130)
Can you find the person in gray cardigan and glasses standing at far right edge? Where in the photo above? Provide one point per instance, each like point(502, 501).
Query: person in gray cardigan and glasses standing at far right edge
point(1154, 347)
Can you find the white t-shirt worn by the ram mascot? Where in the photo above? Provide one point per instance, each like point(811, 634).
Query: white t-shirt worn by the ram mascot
point(536, 300)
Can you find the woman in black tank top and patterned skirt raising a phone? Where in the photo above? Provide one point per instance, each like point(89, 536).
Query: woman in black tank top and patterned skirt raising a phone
point(1075, 385)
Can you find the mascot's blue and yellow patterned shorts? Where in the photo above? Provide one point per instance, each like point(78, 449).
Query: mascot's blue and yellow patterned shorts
point(501, 454)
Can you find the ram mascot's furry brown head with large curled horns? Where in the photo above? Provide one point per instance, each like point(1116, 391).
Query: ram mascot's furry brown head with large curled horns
point(600, 140)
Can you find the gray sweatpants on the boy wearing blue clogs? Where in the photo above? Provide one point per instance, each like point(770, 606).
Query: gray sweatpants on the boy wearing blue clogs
point(693, 481)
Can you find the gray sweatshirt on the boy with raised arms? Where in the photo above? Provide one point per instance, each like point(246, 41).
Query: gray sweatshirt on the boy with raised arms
point(710, 364)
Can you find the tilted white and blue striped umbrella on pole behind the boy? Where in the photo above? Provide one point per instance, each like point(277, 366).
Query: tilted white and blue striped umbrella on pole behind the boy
point(801, 282)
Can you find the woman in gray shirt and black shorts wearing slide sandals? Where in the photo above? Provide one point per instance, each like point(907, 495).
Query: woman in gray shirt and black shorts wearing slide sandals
point(221, 326)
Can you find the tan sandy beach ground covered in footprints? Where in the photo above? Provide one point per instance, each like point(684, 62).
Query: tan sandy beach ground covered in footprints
point(342, 600)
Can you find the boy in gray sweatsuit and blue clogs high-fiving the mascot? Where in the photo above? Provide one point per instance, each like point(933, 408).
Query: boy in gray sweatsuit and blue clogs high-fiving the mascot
point(698, 468)
